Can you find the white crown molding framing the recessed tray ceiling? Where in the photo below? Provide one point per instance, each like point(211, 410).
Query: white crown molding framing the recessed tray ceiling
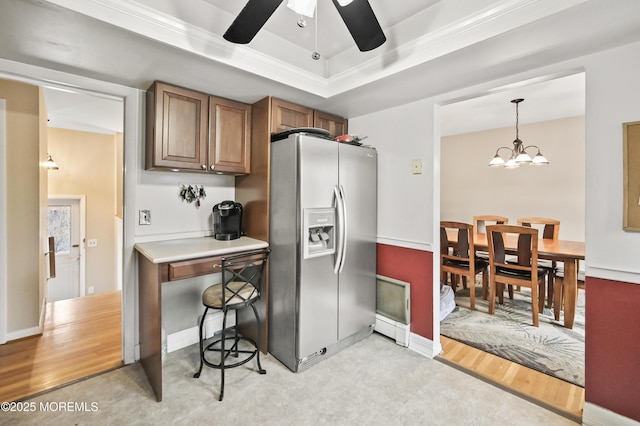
point(502, 16)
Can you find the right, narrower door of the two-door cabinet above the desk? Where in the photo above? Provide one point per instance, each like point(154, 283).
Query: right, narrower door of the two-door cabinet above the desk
point(230, 136)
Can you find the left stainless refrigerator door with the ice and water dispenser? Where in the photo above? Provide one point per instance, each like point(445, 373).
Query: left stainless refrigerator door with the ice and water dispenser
point(318, 284)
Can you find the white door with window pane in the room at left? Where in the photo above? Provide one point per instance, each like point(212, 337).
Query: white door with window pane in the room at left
point(64, 225)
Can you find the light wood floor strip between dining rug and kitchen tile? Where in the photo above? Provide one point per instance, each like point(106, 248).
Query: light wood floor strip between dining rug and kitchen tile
point(555, 394)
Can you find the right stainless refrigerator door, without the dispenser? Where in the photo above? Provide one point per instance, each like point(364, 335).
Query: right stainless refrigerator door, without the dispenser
point(357, 280)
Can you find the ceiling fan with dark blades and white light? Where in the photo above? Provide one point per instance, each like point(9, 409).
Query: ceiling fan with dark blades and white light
point(356, 14)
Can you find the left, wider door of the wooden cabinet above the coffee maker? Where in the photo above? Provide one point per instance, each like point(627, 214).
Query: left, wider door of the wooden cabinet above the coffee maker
point(176, 128)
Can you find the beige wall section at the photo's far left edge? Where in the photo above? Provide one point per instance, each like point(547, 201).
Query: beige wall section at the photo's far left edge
point(23, 175)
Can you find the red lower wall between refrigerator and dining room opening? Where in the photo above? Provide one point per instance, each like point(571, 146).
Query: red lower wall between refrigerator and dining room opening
point(416, 268)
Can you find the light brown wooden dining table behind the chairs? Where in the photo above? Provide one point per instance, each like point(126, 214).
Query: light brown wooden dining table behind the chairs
point(568, 252)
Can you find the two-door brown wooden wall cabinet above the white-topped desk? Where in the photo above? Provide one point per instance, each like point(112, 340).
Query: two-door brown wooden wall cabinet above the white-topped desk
point(193, 131)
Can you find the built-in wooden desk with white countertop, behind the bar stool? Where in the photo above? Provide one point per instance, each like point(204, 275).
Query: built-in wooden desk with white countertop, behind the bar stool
point(162, 261)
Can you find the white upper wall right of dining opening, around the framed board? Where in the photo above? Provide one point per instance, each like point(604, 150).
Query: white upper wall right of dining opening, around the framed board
point(612, 89)
